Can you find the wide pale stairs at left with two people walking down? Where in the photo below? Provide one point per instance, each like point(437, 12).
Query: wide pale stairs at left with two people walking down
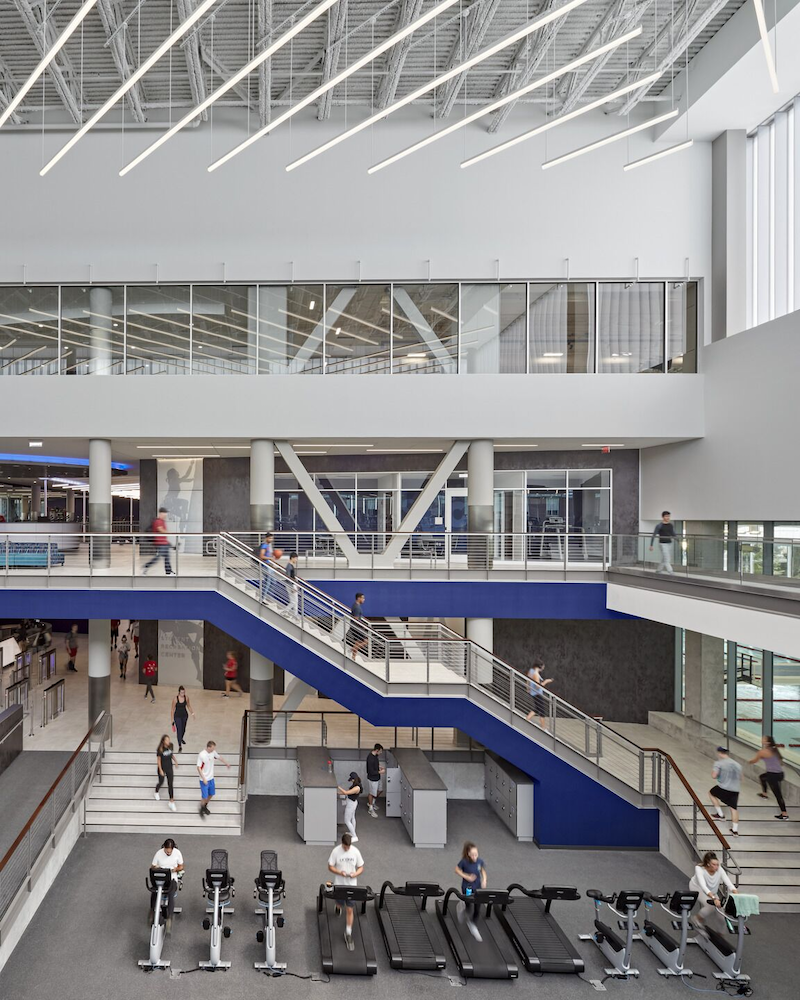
point(123, 801)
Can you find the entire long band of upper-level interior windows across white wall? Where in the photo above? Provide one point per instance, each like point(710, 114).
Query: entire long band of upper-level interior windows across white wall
point(444, 328)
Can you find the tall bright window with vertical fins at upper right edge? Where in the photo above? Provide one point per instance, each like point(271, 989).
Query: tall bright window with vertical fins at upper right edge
point(773, 256)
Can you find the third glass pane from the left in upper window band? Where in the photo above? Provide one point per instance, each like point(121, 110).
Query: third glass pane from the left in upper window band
point(158, 329)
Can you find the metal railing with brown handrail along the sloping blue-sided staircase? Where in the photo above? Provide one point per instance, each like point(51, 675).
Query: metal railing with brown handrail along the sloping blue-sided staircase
point(441, 663)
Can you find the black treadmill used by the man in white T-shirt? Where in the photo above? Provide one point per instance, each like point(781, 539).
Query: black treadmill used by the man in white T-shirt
point(336, 958)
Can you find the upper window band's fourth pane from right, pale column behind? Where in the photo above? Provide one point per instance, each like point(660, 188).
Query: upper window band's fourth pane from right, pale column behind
point(493, 328)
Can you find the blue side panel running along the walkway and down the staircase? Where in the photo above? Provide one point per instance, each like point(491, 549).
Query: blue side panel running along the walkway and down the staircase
point(602, 819)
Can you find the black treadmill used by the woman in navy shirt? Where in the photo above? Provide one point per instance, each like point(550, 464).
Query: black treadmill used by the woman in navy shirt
point(493, 956)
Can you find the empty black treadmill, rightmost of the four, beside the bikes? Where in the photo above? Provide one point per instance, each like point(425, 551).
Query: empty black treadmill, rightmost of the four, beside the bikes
point(540, 942)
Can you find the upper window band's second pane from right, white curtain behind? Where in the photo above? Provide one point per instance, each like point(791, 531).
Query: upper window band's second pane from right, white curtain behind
point(631, 326)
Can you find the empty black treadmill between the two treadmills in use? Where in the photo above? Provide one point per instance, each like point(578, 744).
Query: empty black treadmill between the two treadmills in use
point(410, 934)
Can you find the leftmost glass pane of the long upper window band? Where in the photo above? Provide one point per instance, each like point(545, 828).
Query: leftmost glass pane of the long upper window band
point(29, 336)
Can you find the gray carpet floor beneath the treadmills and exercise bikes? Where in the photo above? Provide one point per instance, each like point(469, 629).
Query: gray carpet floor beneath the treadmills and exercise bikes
point(91, 929)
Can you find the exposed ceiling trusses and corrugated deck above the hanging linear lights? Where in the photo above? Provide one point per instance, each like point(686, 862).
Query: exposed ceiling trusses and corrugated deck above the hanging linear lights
point(117, 35)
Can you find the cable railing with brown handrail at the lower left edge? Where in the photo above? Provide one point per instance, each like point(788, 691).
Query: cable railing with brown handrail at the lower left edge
point(46, 825)
